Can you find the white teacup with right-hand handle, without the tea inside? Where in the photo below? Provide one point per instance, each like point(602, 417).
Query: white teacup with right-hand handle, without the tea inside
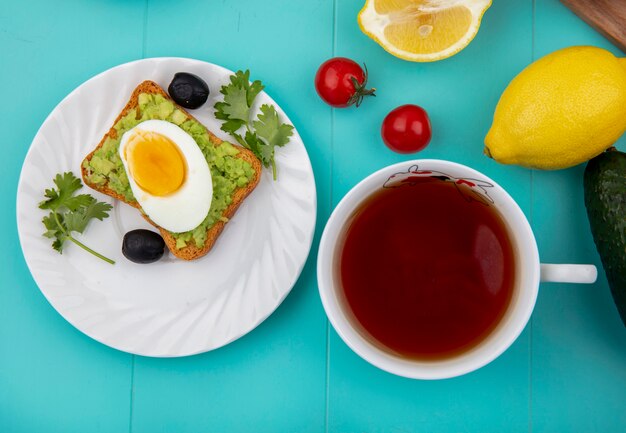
point(529, 272)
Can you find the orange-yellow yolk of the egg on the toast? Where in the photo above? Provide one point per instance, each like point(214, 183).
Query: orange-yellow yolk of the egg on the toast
point(155, 163)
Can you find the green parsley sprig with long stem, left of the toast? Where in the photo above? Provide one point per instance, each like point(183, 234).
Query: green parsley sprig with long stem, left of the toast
point(71, 213)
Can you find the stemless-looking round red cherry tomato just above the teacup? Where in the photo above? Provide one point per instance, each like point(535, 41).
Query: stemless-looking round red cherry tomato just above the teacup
point(406, 129)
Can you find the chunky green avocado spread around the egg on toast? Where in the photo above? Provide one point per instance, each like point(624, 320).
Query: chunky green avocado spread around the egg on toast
point(228, 171)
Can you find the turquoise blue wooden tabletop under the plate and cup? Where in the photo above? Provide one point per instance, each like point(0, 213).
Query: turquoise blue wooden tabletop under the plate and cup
point(567, 371)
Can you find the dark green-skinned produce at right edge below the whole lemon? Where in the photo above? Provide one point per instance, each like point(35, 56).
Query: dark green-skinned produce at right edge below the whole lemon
point(605, 199)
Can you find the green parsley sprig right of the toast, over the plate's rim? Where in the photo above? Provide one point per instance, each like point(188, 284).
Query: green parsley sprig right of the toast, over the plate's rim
point(262, 135)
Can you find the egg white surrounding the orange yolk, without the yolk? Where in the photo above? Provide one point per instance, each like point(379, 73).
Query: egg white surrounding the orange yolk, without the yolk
point(186, 208)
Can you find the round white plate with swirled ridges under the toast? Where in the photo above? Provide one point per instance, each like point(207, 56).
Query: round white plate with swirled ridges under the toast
point(171, 307)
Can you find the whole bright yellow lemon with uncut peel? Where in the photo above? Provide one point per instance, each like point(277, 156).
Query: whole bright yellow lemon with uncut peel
point(560, 111)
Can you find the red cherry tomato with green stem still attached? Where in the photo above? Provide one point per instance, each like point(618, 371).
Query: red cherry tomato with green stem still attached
point(341, 82)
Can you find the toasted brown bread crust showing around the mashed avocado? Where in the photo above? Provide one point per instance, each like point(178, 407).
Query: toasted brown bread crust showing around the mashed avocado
point(191, 251)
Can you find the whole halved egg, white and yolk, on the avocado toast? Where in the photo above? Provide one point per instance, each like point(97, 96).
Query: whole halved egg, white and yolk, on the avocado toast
point(168, 174)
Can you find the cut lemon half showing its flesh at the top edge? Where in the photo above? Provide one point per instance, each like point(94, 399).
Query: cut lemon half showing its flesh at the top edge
point(422, 30)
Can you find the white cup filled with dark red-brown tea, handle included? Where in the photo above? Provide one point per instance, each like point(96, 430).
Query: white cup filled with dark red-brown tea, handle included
point(428, 269)
